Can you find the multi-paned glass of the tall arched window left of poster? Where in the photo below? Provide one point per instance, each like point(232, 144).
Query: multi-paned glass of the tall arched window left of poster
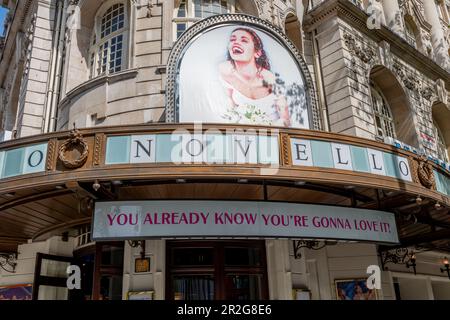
point(108, 54)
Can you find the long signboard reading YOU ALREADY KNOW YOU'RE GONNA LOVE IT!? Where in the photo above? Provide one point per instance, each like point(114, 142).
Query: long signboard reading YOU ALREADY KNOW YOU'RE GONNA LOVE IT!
point(169, 219)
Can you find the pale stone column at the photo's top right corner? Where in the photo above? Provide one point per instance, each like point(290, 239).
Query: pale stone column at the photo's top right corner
point(438, 40)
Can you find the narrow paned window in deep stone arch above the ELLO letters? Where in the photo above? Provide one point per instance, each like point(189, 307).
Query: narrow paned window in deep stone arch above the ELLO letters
point(384, 121)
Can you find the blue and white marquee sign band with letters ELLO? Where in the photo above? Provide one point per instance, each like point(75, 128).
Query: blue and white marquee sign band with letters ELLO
point(348, 157)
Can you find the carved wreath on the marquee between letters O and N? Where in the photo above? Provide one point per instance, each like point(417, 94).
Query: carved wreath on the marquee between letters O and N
point(75, 142)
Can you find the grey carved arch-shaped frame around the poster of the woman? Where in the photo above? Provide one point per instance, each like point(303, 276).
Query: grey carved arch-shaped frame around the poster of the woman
point(202, 25)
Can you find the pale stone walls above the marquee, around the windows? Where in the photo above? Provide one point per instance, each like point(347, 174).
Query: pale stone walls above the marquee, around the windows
point(48, 76)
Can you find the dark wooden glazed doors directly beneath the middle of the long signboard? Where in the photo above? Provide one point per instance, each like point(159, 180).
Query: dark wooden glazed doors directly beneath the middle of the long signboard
point(216, 270)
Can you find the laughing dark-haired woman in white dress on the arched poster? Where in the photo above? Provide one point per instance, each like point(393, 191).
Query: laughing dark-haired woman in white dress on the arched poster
point(253, 89)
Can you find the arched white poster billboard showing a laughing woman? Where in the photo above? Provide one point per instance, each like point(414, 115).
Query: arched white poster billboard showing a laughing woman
point(241, 73)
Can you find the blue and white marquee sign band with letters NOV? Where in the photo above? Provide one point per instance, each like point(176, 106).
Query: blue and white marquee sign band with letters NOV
point(195, 148)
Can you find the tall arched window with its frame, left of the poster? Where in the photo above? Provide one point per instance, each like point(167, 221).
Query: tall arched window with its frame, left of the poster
point(109, 41)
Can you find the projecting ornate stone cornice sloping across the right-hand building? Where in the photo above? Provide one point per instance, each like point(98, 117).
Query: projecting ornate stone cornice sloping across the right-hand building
point(357, 18)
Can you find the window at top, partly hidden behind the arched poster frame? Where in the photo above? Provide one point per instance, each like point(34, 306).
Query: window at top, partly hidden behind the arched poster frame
point(187, 12)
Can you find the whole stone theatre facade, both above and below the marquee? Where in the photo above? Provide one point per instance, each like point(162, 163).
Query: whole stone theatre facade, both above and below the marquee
point(380, 70)
